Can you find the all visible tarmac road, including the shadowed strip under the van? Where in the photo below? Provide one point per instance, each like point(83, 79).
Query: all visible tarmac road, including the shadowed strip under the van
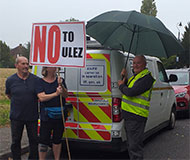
point(165, 145)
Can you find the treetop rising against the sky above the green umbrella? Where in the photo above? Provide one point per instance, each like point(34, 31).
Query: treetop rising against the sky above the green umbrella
point(149, 7)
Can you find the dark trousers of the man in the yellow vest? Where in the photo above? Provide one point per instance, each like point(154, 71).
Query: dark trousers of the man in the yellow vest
point(135, 131)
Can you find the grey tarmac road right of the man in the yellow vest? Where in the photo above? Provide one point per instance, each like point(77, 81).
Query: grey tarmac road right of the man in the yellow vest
point(170, 144)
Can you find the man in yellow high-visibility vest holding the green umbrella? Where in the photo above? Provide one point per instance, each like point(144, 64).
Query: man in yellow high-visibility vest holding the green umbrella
point(135, 104)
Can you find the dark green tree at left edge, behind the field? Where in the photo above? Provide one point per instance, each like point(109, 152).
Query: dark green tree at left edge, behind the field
point(6, 60)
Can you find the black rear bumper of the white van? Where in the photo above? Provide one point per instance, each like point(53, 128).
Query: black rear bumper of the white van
point(116, 145)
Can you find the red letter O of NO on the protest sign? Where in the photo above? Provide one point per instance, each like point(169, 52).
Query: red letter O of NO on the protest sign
point(54, 41)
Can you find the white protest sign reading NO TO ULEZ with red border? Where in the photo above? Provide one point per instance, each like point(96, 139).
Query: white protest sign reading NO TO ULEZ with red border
point(58, 44)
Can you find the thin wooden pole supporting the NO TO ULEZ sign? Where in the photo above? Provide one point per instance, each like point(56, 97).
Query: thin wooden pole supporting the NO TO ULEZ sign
point(63, 117)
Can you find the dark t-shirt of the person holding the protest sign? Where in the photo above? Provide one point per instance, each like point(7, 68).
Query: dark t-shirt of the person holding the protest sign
point(48, 88)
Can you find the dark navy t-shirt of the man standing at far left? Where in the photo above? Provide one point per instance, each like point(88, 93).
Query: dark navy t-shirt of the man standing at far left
point(24, 101)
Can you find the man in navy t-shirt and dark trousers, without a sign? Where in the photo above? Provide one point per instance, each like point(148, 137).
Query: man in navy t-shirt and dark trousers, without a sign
point(20, 88)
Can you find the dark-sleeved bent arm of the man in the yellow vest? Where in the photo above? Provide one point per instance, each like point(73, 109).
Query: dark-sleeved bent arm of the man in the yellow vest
point(140, 86)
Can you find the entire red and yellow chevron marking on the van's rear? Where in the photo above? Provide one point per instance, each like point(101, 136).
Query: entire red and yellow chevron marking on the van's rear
point(90, 117)
